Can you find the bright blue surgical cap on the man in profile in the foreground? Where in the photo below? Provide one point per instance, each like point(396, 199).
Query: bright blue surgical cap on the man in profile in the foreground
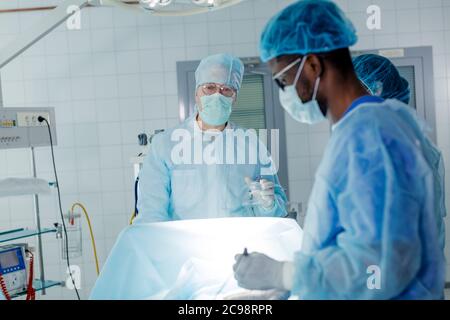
point(309, 26)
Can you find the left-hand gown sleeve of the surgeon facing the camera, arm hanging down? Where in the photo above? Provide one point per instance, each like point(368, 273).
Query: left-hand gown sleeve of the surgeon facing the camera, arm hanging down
point(154, 185)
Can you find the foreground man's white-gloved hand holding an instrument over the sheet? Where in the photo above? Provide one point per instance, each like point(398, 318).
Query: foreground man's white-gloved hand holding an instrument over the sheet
point(259, 272)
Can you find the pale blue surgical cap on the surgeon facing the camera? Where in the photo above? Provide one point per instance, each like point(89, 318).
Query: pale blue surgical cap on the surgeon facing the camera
point(221, 68)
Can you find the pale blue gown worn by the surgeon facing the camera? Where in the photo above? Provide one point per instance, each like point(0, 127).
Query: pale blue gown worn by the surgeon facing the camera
point(196, 187)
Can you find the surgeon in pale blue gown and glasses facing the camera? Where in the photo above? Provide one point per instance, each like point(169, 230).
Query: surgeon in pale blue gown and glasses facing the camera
point(188, 174)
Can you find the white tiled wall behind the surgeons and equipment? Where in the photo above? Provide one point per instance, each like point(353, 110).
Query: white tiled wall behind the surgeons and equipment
point(117, 77)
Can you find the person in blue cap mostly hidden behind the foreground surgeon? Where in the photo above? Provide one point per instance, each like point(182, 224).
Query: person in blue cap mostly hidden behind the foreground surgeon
point(382, 79)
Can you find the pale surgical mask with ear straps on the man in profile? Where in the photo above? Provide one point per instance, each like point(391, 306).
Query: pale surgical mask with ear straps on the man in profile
point(304, 112)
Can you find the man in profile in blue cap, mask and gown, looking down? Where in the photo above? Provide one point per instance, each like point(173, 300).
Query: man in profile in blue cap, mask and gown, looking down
point(370, 230)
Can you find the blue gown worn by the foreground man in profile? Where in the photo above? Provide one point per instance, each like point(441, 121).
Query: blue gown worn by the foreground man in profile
point(371, 214)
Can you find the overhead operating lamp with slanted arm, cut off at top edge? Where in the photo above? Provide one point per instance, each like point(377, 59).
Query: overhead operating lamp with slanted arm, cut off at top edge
point(61, 13)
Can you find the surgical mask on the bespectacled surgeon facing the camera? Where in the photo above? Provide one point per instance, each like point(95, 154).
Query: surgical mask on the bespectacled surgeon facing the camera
point(216, 109)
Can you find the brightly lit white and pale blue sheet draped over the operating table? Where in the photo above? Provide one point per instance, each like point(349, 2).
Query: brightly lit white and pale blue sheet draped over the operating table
point(190, 259)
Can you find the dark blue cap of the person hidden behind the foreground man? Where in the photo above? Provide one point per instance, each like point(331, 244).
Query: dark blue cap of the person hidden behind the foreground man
point(381, 77)
